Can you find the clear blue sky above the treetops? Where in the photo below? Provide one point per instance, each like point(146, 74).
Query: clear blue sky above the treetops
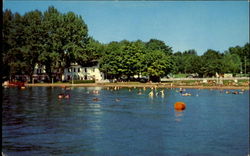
point(183, 25)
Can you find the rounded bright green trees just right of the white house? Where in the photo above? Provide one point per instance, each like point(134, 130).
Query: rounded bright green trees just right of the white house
point(136, 58)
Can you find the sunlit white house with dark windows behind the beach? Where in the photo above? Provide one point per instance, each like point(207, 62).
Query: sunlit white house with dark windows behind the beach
point(83, 73)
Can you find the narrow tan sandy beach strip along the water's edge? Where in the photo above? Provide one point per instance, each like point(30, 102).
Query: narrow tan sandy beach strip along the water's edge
point(130, 85)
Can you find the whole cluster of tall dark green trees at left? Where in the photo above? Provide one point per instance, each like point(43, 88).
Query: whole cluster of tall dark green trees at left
point(50, 38)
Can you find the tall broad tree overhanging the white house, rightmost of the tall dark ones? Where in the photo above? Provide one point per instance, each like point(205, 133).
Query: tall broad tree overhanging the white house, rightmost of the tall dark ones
point(65, 42)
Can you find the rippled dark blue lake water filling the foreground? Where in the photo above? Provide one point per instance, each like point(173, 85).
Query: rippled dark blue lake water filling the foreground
point(36, 122)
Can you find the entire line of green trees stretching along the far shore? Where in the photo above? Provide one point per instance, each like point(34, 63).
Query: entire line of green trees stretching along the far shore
point(56, 40)
